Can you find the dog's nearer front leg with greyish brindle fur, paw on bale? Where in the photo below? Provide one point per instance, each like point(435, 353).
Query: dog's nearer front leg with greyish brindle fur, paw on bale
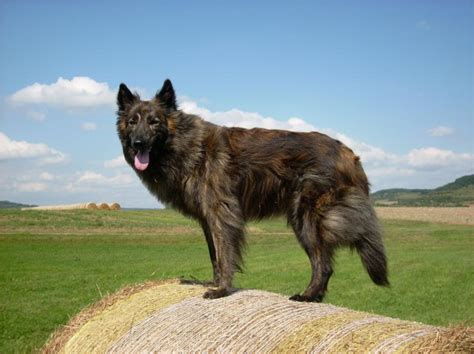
point(226, 226)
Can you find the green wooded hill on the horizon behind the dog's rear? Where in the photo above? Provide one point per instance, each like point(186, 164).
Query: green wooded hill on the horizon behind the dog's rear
point(457, 193)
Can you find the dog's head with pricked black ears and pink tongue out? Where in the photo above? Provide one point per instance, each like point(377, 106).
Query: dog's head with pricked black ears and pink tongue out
point(143, 126)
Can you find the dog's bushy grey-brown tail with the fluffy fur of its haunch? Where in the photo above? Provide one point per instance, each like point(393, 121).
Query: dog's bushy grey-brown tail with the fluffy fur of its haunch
point(352, 221)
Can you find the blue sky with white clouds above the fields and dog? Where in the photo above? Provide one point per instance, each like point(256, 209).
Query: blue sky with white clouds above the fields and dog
point(393, 80)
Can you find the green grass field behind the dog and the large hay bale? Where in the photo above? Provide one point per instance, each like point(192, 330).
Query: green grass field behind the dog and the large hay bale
point(53, 264)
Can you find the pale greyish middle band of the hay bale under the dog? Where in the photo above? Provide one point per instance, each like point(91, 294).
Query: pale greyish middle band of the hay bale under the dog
point(248, 320)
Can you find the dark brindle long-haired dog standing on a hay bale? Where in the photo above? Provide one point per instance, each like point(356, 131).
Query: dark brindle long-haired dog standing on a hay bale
point(225, 176)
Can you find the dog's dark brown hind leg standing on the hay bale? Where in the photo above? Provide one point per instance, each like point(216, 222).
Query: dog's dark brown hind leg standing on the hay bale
point(306, 225)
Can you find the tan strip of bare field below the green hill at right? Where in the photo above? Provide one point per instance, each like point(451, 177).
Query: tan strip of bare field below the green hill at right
point(459, 216)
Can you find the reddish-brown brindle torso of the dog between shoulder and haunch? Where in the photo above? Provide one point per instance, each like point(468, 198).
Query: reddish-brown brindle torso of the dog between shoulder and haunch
point(272, 167)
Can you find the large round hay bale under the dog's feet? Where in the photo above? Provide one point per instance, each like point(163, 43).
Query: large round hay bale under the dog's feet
point(172, 317)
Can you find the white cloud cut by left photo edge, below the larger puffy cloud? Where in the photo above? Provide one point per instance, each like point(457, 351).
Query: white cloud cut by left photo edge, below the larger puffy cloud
point(12, 149)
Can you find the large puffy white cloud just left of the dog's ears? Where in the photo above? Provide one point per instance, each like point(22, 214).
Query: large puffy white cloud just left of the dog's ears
point(78, 93)
